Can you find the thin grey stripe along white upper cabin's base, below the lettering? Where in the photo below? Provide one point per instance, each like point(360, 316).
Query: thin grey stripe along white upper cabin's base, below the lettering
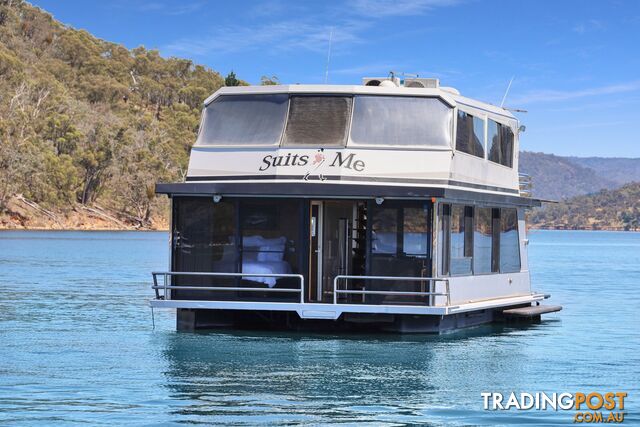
point(355, 179)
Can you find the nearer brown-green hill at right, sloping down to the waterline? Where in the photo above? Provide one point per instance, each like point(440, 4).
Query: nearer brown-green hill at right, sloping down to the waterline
point(605, 210)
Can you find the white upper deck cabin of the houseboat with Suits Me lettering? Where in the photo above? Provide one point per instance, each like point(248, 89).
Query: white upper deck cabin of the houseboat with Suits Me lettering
point(387, 136)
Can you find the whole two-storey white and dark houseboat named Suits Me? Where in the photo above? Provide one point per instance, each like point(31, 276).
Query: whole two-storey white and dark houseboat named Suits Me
point(387, 206)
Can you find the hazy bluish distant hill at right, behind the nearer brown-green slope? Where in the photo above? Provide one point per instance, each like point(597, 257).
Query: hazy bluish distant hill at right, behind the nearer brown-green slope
point(557, 178)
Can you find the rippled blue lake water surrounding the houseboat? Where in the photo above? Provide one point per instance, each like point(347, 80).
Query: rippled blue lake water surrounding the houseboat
point(77, 345)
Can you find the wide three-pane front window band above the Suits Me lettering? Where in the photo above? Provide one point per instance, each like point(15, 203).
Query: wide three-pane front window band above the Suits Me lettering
point(325, 121)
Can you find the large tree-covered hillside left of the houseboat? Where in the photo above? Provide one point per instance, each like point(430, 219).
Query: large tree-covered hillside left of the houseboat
point(87, 125)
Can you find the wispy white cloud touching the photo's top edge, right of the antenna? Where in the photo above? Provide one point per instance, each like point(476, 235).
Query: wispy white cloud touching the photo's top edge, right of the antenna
point(385, 8)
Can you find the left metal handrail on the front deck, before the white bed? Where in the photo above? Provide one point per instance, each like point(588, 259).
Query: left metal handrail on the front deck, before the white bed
point(166, 286)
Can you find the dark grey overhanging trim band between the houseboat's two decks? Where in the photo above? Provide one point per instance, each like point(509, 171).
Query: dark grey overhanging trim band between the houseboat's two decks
point(330, 190)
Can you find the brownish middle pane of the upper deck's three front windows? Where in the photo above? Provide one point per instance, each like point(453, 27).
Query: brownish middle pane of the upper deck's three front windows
point(318, 120)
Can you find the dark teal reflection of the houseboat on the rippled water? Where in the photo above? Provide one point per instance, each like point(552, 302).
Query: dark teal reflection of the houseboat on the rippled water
point(289, 377)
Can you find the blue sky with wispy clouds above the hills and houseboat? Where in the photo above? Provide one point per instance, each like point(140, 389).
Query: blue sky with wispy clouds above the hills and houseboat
point(576, 64)
